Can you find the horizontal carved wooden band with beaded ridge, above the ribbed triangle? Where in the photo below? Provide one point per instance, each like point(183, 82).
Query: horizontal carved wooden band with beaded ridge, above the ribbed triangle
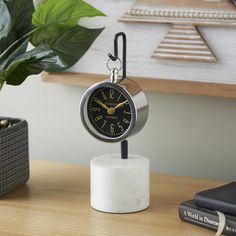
point(198, 12)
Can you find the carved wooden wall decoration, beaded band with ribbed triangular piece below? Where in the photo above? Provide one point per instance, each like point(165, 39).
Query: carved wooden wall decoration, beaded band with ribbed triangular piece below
point(185, 16)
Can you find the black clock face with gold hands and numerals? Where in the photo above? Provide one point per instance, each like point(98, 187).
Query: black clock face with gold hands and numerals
point(109, 112)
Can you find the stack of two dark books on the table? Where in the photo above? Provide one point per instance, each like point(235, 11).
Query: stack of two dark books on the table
point(202, 210)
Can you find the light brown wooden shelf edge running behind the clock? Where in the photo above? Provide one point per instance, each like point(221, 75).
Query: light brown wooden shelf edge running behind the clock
point(160, 85)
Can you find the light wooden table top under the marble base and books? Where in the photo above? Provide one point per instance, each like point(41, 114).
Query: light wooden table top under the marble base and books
point(55, 201)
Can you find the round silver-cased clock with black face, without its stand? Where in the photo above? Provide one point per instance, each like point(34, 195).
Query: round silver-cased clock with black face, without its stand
point(112, 111)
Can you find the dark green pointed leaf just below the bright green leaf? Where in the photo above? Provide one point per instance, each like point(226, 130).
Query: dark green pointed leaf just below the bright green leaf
point(72, 44)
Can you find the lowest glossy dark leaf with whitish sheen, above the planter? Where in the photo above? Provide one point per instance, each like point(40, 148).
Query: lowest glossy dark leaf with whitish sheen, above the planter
point(32, 62)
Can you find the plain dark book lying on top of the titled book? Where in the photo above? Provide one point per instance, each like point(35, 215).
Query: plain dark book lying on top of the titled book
point(222, 198)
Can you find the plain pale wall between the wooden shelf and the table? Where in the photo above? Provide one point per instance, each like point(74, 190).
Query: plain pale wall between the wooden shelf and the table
point(184, 135)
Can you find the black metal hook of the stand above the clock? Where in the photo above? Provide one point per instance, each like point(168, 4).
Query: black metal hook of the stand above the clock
point(114, 58)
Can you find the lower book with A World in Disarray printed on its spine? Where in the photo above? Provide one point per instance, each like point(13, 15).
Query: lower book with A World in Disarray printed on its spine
point(206, 218)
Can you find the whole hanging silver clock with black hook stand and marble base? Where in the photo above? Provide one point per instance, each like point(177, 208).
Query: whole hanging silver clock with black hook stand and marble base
point(112, 111)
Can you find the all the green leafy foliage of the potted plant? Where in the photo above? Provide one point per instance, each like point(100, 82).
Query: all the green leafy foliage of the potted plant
point(60, 42)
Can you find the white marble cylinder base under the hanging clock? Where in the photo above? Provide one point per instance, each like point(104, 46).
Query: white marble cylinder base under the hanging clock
point(120, 185)
